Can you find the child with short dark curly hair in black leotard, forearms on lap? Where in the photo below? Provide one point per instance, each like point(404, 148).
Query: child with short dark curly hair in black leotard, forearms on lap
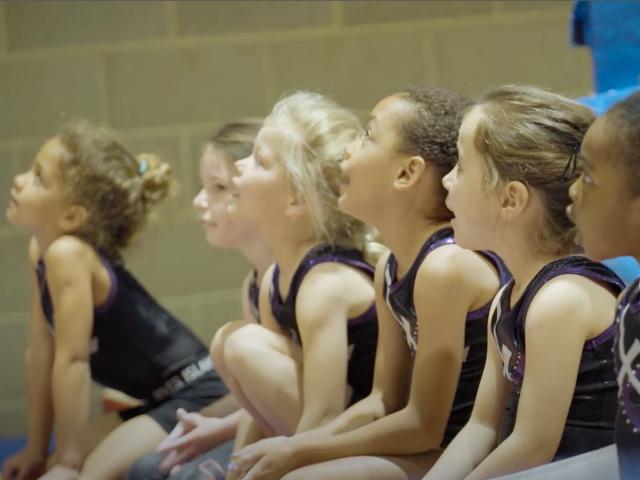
point(432, 297)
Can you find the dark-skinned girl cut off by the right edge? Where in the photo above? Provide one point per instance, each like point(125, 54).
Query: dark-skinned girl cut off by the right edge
point(606, 209)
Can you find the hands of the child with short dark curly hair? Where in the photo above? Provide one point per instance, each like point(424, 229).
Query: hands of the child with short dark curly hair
point(255, 460)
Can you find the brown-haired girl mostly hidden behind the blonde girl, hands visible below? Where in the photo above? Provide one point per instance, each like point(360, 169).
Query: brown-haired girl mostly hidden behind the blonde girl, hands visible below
point(204, 440)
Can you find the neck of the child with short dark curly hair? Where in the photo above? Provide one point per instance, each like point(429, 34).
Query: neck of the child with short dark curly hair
point(406, 236)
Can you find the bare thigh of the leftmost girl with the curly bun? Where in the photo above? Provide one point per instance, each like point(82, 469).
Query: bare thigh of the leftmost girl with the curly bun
point(123, 446)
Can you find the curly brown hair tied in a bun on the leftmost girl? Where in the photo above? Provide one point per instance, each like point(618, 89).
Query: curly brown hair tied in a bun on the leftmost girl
point(116, 188)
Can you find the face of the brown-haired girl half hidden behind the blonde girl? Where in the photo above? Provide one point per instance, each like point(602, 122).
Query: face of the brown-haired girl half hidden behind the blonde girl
point(212, 202)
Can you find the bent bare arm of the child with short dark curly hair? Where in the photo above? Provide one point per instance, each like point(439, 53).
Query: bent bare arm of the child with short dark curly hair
point(418, 426)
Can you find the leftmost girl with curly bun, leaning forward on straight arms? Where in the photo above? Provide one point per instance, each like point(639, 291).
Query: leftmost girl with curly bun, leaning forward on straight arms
point(83, 200)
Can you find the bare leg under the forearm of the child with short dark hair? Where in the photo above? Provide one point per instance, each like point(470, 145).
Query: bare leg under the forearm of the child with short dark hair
point(407, 467)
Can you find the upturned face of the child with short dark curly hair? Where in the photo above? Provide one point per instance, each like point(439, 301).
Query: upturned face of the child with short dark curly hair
point(369, 168)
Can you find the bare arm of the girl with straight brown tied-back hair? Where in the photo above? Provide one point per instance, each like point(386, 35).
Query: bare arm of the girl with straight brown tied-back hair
point(561, 318)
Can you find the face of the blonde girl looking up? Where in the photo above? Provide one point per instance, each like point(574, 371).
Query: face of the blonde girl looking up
point(263, 188)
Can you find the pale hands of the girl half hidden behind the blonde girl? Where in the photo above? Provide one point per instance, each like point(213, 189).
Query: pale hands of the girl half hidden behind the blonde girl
point(193, 435)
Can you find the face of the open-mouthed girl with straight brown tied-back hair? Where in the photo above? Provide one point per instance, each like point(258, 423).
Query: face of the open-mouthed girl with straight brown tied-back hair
point(475, 208)
